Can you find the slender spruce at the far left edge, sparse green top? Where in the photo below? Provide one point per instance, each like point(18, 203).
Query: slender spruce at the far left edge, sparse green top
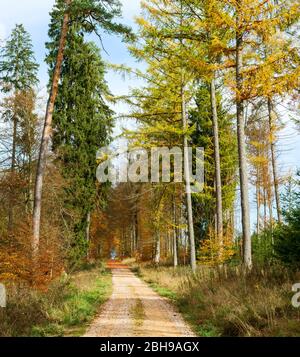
point(18, 76)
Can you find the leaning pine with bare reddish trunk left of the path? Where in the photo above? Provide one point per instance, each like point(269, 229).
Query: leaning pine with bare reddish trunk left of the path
point(92, 16)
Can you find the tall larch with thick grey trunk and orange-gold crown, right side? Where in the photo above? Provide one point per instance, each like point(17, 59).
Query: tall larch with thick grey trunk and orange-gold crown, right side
point(254, 20)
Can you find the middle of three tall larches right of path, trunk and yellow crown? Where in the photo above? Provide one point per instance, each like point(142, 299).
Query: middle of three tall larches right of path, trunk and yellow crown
point(206, 36)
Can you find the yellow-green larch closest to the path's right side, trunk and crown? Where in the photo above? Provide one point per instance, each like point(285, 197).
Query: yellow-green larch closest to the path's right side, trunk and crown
point(163, 51)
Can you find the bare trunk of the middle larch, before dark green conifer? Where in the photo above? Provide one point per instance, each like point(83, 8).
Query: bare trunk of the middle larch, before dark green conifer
point(219, 204)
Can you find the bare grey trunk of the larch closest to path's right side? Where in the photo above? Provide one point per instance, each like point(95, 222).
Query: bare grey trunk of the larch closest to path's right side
point(188, 183)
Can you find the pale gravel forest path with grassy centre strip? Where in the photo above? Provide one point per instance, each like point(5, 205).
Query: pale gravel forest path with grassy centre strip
point(134, 309)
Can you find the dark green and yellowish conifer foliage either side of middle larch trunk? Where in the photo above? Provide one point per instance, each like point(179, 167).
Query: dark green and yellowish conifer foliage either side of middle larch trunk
point(204, 202)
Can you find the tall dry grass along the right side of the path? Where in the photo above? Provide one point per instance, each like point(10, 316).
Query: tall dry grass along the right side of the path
point(229, 303)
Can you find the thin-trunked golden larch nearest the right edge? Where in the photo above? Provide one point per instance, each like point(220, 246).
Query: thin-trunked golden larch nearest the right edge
point(279, 52)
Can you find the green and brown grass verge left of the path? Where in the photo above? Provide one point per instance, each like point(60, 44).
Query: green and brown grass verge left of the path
point(64, 310)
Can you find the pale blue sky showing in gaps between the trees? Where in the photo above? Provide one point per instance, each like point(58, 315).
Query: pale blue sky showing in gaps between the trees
point(34, 14)
